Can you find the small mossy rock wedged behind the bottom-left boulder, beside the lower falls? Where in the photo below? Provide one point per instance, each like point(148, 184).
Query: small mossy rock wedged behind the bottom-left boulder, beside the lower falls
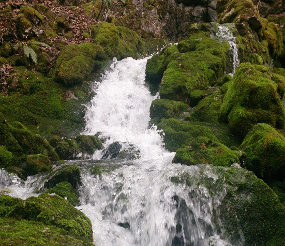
point(65, 190)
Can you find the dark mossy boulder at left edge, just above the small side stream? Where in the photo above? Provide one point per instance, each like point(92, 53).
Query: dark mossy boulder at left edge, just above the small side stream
point(20, 148)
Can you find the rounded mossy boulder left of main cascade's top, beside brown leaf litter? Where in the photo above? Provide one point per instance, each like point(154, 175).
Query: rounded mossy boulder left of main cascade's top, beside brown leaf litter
point(77, 62)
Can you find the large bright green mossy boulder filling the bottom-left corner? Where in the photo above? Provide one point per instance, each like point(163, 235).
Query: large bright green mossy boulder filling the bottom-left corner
point(38, 214)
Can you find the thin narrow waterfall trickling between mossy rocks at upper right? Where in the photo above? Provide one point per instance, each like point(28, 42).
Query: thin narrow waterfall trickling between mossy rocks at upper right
point(225, 34)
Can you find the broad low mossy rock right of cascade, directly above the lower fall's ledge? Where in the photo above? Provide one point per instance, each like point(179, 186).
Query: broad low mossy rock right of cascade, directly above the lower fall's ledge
point(195, 143)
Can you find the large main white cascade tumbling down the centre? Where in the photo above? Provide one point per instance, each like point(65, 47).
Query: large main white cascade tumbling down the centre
point(140, 195)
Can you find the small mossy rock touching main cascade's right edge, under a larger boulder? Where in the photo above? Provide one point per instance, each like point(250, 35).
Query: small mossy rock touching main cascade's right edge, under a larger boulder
point(164, 108)
